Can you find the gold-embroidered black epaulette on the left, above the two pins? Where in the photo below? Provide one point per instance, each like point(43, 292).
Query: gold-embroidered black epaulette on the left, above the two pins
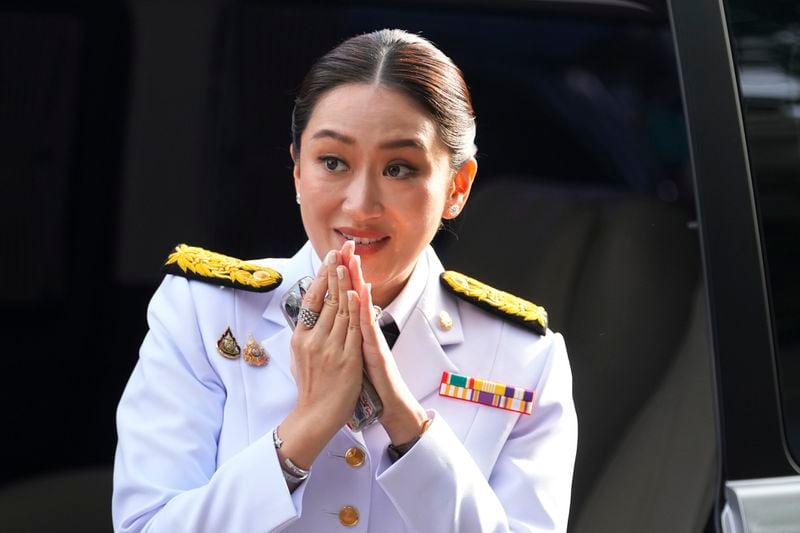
point(196, 263)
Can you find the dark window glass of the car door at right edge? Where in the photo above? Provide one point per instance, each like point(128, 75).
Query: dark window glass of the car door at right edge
point(766, 37)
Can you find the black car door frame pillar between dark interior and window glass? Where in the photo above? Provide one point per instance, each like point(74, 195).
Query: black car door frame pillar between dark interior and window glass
point(750, 432)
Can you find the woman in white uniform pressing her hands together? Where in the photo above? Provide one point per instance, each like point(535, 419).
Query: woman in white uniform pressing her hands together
point(383, 133)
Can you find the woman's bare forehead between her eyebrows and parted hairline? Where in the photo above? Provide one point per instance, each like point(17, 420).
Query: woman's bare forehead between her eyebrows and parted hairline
point(369, 112)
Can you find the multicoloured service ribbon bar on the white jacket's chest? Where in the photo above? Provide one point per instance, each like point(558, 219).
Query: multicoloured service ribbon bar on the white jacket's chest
point(486, 392)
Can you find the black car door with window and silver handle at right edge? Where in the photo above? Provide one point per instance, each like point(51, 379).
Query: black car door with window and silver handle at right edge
point(740, 69)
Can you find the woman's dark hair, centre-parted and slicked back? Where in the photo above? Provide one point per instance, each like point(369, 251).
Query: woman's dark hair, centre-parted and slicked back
point(403, 61)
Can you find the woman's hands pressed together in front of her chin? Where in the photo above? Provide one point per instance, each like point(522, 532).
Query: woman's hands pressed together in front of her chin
point(329, 358)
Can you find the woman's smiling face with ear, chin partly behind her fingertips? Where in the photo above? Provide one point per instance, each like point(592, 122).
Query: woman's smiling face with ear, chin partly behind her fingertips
point(372, 168)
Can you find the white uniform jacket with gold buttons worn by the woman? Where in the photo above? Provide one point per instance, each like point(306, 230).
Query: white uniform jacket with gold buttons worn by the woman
point(195, 450)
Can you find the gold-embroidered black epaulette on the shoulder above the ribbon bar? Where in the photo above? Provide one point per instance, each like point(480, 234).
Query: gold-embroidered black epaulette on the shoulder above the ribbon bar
point(503, 304)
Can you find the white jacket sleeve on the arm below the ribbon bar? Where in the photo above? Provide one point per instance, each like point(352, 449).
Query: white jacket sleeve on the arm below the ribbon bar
point(437, 486)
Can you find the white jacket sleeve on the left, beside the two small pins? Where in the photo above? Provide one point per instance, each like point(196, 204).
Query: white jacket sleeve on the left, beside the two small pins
point(166, 476)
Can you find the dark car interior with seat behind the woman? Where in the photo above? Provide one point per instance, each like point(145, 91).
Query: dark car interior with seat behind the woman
point(121, 136)
